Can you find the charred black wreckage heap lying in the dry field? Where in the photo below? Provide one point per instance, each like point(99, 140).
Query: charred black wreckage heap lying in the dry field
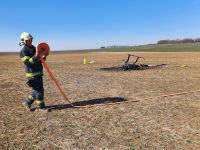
point(126, 65)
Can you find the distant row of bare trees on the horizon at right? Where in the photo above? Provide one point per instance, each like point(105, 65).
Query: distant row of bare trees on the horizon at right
point(186, 40)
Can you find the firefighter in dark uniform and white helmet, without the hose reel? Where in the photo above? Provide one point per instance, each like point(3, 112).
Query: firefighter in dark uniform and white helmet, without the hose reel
point(34, 71)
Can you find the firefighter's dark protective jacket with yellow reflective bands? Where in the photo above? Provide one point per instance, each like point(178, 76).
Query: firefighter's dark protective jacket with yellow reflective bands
point(33, 65)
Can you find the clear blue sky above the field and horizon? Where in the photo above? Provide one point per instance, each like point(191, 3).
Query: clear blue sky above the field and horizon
point(85, 24)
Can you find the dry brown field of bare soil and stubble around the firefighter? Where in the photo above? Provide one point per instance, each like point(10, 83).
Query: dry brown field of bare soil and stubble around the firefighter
point(164, 123)
